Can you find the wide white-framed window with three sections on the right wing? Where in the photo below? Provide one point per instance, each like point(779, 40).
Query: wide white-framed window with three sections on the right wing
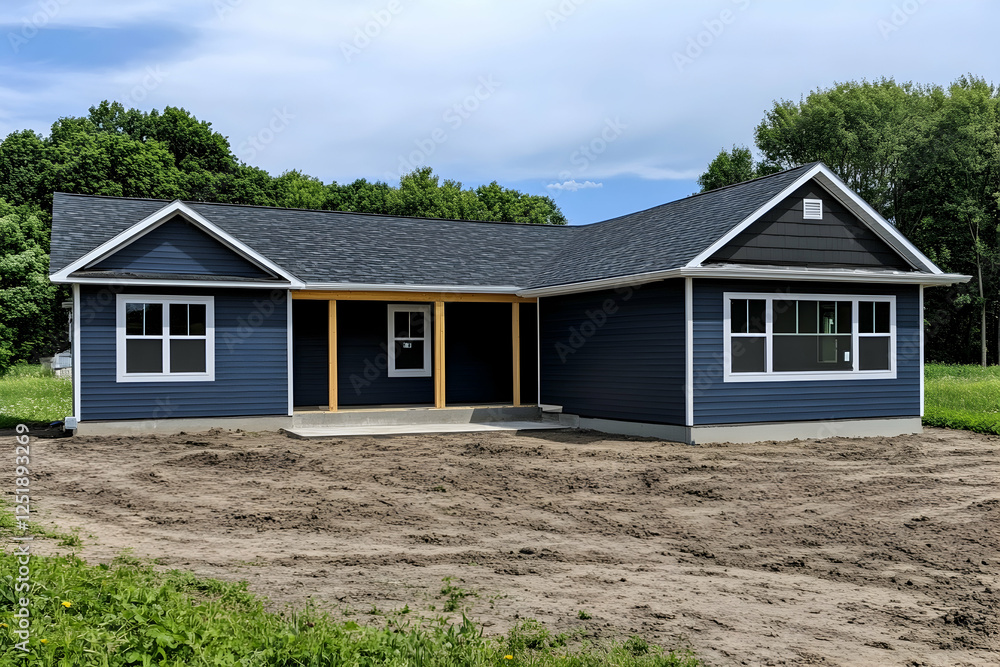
point(784, 337)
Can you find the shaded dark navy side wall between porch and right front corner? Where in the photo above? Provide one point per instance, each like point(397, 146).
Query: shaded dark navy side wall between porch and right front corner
point(629, 368)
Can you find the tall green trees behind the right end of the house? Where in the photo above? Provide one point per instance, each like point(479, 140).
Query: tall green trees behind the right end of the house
point(927, 158)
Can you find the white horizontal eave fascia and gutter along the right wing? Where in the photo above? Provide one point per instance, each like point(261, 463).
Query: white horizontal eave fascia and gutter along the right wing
point(750, 273)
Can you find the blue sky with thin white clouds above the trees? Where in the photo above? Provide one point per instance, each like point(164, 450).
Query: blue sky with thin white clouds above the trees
point(607, 107)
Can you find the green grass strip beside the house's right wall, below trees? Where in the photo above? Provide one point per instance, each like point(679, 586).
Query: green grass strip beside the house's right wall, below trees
point(962, 397)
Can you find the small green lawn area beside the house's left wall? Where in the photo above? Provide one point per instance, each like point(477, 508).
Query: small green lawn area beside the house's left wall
point(29, 395)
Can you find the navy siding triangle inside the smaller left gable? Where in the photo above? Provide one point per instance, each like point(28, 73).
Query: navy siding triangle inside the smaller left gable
point(178, 247)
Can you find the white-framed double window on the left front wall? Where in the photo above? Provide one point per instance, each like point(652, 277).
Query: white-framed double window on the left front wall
point(165, 338)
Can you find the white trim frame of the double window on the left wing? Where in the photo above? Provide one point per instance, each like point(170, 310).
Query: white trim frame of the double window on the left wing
point(166, 376)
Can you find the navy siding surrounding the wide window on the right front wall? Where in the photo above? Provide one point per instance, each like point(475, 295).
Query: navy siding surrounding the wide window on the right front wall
point(719, 402)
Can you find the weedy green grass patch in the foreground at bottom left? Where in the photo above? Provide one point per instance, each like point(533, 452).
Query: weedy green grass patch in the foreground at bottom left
point(128, 613)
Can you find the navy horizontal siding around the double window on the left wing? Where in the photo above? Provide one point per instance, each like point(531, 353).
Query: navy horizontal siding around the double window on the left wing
point(251, 376)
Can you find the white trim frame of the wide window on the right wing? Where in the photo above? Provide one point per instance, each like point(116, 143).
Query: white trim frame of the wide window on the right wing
point(771, 376)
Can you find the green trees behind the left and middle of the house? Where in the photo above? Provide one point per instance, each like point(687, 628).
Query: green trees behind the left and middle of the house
point(172, 155)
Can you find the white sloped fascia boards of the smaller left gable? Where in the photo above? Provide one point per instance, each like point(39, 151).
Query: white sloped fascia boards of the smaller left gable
point(153, 221)
